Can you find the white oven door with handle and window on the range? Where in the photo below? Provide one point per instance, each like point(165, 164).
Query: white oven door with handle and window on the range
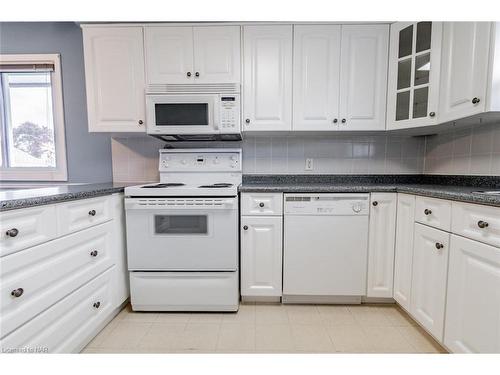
point(182, 234)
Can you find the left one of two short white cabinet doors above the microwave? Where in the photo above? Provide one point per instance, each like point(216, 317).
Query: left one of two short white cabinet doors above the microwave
point(169, 55)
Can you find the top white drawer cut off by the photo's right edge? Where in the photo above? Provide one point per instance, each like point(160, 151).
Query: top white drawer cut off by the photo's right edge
point(481, 223)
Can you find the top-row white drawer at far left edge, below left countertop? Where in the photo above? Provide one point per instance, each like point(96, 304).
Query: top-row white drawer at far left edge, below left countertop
point(27, 227)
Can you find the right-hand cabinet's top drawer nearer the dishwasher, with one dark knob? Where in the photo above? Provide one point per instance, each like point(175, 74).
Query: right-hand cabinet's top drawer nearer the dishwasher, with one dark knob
point(433, 212)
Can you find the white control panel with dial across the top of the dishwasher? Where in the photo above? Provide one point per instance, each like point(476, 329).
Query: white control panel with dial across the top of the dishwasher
point(334, 204)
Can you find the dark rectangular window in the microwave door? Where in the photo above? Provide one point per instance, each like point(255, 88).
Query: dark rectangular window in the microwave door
point(181, 114)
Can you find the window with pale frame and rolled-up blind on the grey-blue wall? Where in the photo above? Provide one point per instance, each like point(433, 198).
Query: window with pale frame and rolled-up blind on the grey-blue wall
point(32, 143)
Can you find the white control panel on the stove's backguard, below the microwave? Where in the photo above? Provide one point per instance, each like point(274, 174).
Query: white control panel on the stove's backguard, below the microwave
point(200, 160)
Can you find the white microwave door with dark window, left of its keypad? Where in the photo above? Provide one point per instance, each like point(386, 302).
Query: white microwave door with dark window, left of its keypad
point(182, 114)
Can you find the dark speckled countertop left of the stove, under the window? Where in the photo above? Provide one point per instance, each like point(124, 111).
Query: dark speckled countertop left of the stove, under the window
point(12, 198)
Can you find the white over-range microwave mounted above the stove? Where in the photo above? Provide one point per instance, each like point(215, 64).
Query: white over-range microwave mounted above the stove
point(197, 116)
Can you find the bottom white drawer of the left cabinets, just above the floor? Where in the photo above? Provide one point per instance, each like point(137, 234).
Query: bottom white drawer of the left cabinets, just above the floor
point(65, 327)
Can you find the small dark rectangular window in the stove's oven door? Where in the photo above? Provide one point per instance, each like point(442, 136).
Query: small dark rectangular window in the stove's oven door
point(181, 224)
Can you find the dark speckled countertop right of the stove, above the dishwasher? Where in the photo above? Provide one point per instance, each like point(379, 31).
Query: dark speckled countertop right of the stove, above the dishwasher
point(458, 188)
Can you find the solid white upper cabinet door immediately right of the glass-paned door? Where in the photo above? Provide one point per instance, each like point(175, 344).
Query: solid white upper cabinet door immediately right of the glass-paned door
point(464, 69)
